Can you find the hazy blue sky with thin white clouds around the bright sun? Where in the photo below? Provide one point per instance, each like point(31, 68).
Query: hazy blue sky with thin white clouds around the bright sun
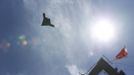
point(27, 48)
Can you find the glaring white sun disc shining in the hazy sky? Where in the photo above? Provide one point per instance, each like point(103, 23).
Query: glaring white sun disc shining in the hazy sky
point(103, 30)
